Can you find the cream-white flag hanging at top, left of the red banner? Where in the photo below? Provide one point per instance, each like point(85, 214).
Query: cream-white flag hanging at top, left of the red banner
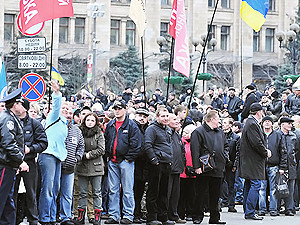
point(138, 14)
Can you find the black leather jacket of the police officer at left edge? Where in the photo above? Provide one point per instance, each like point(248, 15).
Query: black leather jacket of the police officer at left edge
point(11, 140)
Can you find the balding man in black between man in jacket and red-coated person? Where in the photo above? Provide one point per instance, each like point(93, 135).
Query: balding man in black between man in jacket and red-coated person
point(177, 168)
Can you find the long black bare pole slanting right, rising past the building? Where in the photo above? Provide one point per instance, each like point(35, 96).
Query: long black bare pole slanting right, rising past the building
point(200, 62)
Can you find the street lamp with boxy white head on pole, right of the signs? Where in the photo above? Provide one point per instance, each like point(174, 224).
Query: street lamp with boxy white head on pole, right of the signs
point(95, 10)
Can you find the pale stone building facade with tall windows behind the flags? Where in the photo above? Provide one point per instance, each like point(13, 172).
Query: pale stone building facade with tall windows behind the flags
point(240, 56)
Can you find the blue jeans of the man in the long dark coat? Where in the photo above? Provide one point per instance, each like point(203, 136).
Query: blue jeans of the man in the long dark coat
point(251, 190)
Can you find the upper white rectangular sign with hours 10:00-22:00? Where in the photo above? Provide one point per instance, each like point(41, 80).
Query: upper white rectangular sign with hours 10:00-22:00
point(37, 44)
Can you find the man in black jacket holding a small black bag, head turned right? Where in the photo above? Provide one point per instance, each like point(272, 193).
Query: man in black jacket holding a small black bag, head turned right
point(209, 138)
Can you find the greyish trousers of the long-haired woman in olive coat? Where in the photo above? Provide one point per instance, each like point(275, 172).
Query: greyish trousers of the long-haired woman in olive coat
point(83, 185)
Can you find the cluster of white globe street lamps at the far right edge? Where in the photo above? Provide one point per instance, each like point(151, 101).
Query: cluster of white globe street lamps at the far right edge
point(291, 37)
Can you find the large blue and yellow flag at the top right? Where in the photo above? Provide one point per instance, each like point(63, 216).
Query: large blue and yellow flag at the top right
point(254, 12)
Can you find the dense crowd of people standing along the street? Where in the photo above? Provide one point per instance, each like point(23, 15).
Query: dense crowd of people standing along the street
point(140, 158)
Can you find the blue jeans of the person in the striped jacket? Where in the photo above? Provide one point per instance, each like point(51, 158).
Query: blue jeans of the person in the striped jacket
point(66, 196)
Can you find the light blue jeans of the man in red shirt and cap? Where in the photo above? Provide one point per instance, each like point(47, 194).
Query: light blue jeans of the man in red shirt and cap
point(121, 173)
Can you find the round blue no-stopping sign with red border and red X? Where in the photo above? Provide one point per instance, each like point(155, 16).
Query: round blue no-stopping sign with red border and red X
point(33, 86)
